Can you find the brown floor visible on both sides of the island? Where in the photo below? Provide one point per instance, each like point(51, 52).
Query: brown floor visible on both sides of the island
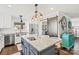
point(14, 49)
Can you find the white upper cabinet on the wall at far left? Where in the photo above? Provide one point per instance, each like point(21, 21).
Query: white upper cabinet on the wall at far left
point(5, 21)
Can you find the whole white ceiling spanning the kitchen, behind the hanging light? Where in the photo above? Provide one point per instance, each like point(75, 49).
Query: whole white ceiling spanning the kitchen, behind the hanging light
point(71, 10)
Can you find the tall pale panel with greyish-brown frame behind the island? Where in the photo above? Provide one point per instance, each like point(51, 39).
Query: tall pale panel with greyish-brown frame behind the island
point(52, 26)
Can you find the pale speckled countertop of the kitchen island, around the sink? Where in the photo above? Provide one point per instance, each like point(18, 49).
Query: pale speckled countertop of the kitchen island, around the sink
point(41, 43)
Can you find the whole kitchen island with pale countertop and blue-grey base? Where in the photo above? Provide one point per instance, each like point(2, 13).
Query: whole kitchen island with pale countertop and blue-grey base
point(38, 46)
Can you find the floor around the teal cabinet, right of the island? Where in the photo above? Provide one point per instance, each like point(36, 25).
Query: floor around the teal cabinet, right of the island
point(74, 51)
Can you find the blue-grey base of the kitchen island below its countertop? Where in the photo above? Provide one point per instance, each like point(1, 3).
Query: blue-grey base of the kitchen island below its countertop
point(30, 50)
